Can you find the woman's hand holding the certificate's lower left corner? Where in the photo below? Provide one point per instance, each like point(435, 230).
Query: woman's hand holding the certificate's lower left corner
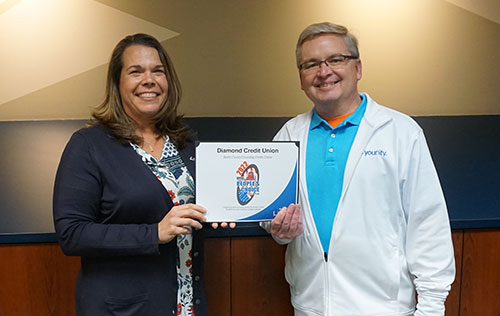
point(181, 219)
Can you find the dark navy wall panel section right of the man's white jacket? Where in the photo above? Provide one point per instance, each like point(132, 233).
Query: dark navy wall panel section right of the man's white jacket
point(466, 152)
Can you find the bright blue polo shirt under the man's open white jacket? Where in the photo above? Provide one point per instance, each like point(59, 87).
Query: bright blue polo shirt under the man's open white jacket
point(326, 157)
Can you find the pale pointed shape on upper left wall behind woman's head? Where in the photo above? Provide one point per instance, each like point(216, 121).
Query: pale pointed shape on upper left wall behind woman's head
point(45, 42)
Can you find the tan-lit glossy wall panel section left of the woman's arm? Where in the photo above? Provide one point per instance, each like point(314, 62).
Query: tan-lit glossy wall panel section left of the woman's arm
point(30, 155)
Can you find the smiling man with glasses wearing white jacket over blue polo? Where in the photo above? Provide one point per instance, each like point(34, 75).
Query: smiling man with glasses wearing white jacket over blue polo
point(374, 236)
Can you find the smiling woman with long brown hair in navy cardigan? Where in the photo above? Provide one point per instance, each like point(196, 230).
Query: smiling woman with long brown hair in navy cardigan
point(124, 193)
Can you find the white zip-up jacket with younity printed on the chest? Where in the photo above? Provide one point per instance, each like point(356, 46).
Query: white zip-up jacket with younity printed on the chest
point(391, 236)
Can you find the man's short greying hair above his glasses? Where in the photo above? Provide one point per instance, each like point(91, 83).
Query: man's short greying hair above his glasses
point(318, 29)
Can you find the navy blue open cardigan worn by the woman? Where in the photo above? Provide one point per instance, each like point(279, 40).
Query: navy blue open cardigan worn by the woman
point(106, 207)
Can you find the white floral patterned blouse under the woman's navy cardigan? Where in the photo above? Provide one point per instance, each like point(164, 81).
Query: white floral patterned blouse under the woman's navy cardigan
point(173, 174)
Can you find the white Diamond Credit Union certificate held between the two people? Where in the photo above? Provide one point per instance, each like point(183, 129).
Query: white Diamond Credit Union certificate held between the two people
point(246, 181)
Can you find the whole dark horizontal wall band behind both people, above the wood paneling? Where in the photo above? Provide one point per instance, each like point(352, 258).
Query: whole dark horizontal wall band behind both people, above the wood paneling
point(466, 151)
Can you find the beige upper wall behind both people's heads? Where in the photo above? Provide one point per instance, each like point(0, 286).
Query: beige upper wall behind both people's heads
point(236, 58)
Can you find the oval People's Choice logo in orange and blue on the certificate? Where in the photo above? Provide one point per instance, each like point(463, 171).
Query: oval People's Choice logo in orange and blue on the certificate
point(247, 183)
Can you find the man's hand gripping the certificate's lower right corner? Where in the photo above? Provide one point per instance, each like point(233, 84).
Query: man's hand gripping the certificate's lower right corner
point(288, 222)
